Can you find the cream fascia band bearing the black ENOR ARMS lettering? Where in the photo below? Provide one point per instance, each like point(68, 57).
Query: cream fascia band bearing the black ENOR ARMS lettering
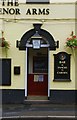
point(13, 9)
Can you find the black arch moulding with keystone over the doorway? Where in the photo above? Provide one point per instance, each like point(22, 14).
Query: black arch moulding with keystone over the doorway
point(43, 33)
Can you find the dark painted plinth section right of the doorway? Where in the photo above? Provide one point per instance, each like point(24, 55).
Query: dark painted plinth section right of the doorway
point(63, 96)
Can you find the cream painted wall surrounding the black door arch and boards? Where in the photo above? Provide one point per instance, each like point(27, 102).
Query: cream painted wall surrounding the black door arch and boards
point(59, 23)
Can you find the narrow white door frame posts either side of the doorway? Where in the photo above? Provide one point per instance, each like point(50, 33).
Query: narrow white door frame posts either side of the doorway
point(26, 72)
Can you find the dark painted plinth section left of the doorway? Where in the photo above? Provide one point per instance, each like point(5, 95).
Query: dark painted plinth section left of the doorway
point(13, 96)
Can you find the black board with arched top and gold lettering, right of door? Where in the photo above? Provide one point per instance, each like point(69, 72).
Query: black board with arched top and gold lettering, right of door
point(62, 66)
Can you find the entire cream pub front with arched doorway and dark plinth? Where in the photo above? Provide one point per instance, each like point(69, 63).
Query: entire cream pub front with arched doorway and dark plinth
point(37, 59)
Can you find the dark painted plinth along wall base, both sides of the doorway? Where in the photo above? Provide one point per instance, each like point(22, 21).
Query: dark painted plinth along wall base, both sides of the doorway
point(56, 96)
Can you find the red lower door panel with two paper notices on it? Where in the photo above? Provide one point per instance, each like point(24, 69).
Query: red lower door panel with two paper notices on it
point(38, 84)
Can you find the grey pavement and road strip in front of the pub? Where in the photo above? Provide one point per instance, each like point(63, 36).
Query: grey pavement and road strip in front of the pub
point(41, 109)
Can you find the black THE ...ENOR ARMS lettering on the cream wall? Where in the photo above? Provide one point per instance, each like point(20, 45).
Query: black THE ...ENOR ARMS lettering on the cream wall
point(11, 7)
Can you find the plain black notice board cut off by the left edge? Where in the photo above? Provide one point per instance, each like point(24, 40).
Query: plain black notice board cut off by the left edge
point(5, 72)
